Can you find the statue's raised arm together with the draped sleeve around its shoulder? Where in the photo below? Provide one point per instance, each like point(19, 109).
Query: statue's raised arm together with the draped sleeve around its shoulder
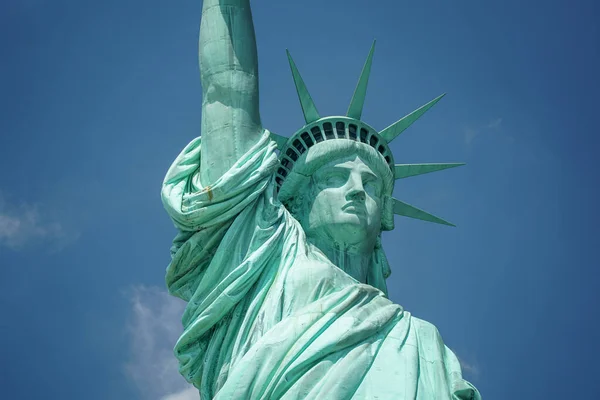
point(220, 173)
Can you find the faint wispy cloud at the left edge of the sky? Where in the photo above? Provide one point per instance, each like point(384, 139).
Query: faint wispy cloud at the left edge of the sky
point(24, 224)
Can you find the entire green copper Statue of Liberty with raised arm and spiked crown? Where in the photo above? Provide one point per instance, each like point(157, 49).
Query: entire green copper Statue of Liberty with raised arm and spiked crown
point(279, 255)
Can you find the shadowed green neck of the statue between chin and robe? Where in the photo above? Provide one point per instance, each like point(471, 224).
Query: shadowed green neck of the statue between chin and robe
point(354, 261)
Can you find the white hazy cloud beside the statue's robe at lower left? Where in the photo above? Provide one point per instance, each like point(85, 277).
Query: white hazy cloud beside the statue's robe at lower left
point(154, 328)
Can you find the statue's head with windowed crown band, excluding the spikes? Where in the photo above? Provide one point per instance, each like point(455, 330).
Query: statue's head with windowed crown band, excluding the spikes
point(337, 184)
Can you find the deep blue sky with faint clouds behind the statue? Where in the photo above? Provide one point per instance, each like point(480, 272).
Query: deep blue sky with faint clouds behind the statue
point(97, 98)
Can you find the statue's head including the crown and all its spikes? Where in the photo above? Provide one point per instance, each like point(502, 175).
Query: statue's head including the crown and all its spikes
point(337, 174)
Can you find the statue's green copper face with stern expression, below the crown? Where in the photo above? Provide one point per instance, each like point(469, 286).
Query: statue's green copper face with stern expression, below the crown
point(347, 204)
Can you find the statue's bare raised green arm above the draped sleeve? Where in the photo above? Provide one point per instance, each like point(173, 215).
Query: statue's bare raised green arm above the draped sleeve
point(229, 74)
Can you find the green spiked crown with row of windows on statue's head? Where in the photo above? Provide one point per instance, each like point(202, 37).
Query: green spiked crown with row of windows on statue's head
point(351, 128)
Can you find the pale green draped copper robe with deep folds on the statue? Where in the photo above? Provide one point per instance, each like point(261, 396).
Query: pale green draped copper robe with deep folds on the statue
point(269, 316)
